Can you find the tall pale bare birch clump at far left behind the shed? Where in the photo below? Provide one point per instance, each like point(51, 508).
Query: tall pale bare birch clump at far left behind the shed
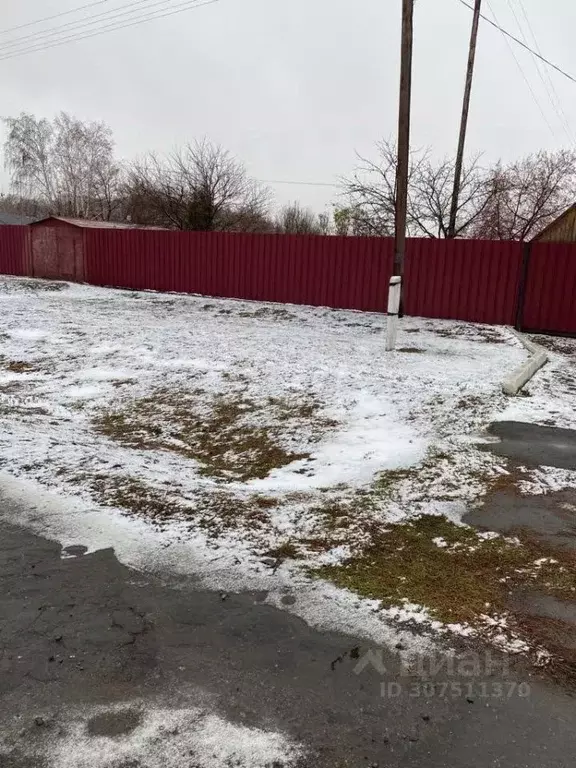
point(66, 165)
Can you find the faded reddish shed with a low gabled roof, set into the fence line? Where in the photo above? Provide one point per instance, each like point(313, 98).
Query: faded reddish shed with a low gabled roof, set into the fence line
point(57, 246)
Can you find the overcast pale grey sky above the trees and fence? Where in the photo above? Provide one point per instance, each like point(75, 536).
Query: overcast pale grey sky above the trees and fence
point(295, 87)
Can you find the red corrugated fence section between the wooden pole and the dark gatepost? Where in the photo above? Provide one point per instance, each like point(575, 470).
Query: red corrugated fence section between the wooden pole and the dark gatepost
point(475, 280)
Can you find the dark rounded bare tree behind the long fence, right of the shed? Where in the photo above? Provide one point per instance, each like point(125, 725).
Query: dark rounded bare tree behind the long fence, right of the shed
point(198, 187)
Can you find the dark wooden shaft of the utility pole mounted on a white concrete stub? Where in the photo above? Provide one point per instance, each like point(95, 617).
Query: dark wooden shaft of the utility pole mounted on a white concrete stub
point(402, 169)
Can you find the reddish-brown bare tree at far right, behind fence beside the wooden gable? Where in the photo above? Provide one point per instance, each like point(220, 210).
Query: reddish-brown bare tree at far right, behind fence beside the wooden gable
point(527, 195)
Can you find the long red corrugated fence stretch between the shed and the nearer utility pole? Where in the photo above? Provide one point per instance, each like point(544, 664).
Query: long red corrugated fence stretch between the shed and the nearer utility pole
point(342, 272)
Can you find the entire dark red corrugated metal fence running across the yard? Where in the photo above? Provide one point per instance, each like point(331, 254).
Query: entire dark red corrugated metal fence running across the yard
point(481, 281)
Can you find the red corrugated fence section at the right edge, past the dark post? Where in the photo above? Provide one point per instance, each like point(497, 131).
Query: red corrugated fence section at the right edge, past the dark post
point(550, 303)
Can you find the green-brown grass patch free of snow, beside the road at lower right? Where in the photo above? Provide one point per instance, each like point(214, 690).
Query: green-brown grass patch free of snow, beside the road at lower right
point(458, 582)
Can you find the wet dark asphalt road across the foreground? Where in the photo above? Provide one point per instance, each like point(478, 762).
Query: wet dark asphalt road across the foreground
point(87, 631)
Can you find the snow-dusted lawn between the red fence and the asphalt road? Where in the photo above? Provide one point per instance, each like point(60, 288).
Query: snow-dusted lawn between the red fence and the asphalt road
point(222, 438)
